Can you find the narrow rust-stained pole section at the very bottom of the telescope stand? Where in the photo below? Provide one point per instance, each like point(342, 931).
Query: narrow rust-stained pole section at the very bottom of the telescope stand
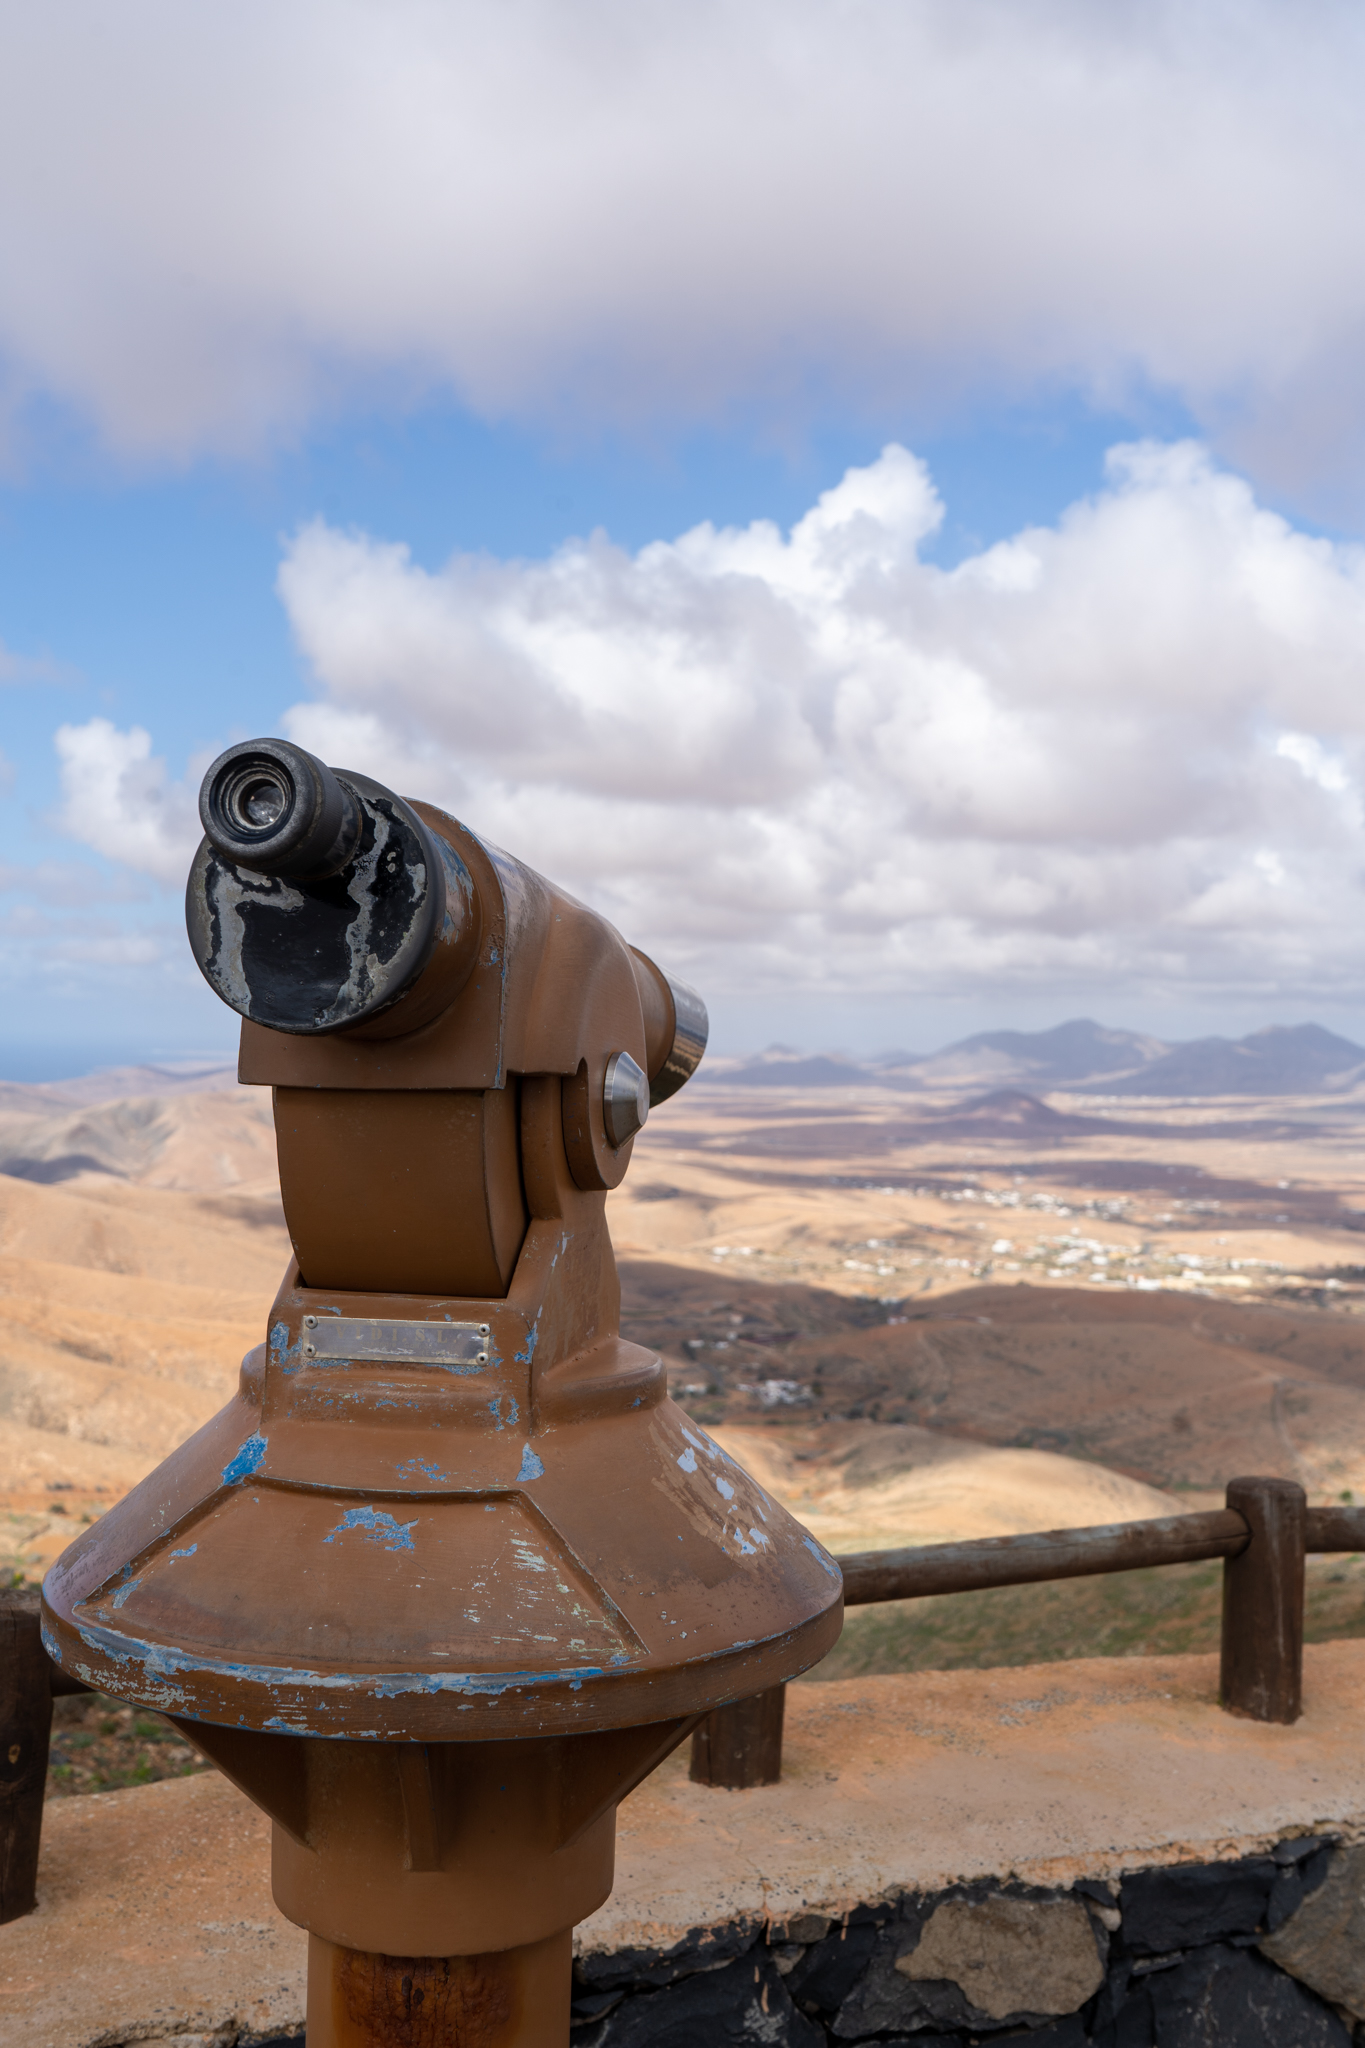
point(511, 1998)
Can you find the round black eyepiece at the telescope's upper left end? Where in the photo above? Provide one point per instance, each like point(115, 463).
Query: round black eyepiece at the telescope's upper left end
point(271, 808)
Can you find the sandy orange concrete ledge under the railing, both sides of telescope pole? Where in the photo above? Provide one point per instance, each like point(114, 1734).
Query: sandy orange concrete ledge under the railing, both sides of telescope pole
point(157, 1924)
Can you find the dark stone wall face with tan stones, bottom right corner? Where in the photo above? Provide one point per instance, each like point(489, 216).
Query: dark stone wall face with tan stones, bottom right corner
point(1260, 1953)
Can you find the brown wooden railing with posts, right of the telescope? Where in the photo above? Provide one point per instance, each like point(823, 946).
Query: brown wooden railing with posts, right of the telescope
point(1262, 1537)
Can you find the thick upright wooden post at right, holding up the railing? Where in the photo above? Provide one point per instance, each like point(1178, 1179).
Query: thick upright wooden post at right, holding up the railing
point(1264, 1603)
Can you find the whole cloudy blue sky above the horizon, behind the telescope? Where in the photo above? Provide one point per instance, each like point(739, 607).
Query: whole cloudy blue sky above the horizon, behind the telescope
point(869, 495)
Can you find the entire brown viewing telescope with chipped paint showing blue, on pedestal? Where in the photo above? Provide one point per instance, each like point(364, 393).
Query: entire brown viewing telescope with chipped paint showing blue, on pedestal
point(451, 1574)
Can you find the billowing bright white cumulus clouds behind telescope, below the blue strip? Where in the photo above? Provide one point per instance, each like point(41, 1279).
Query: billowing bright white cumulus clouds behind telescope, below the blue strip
point(1125, 751)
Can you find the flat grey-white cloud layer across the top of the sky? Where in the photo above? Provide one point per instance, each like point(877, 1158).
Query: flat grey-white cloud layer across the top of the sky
point(216, 222)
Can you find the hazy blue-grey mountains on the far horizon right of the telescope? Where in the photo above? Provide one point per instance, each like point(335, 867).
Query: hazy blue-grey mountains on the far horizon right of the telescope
point(1284, 1060)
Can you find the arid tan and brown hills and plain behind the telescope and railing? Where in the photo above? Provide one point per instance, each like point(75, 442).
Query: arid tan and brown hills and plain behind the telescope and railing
point(924, 1299)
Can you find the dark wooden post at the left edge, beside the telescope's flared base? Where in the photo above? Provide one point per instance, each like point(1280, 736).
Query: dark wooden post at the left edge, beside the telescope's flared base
point(26, 1732)
